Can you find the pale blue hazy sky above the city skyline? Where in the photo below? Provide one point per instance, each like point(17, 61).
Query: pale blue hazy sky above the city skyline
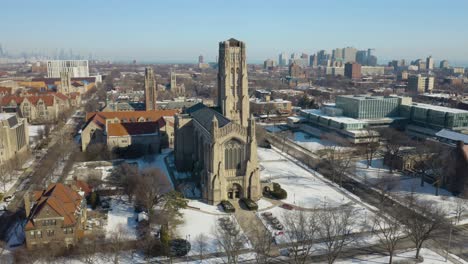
point(180, 30)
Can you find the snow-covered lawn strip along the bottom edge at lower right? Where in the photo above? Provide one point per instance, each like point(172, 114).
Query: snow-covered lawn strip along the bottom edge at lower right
point(403, 256)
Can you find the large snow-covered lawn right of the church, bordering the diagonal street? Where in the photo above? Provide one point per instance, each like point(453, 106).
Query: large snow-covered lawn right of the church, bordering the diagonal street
point(307, 189)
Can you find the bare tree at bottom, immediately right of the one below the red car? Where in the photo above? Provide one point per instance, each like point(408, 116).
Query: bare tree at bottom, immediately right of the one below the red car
point(335, 228)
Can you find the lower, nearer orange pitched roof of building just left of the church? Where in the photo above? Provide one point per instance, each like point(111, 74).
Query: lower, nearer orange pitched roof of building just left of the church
point(132, 129)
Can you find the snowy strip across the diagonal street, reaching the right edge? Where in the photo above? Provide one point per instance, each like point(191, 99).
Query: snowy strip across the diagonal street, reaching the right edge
point(401, 185)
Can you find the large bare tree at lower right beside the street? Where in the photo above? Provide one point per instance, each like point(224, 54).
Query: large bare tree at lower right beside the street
point(421, 222)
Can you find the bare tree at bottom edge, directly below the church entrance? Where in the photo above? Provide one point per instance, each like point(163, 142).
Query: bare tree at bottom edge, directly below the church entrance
point(230, 239)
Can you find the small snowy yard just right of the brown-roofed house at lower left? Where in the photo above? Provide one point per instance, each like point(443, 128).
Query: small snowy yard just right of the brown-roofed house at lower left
point(122, 218)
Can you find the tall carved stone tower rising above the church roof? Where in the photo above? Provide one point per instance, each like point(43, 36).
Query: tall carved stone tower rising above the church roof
point(233, 97)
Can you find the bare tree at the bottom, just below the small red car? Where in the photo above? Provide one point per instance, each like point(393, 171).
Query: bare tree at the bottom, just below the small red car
point(300, 230)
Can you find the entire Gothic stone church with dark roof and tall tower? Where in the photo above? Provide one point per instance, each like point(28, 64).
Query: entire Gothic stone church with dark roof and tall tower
point(218, 144)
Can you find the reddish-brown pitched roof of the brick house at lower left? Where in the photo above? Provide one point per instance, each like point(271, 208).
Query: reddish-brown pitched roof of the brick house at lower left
point(60, 198)
